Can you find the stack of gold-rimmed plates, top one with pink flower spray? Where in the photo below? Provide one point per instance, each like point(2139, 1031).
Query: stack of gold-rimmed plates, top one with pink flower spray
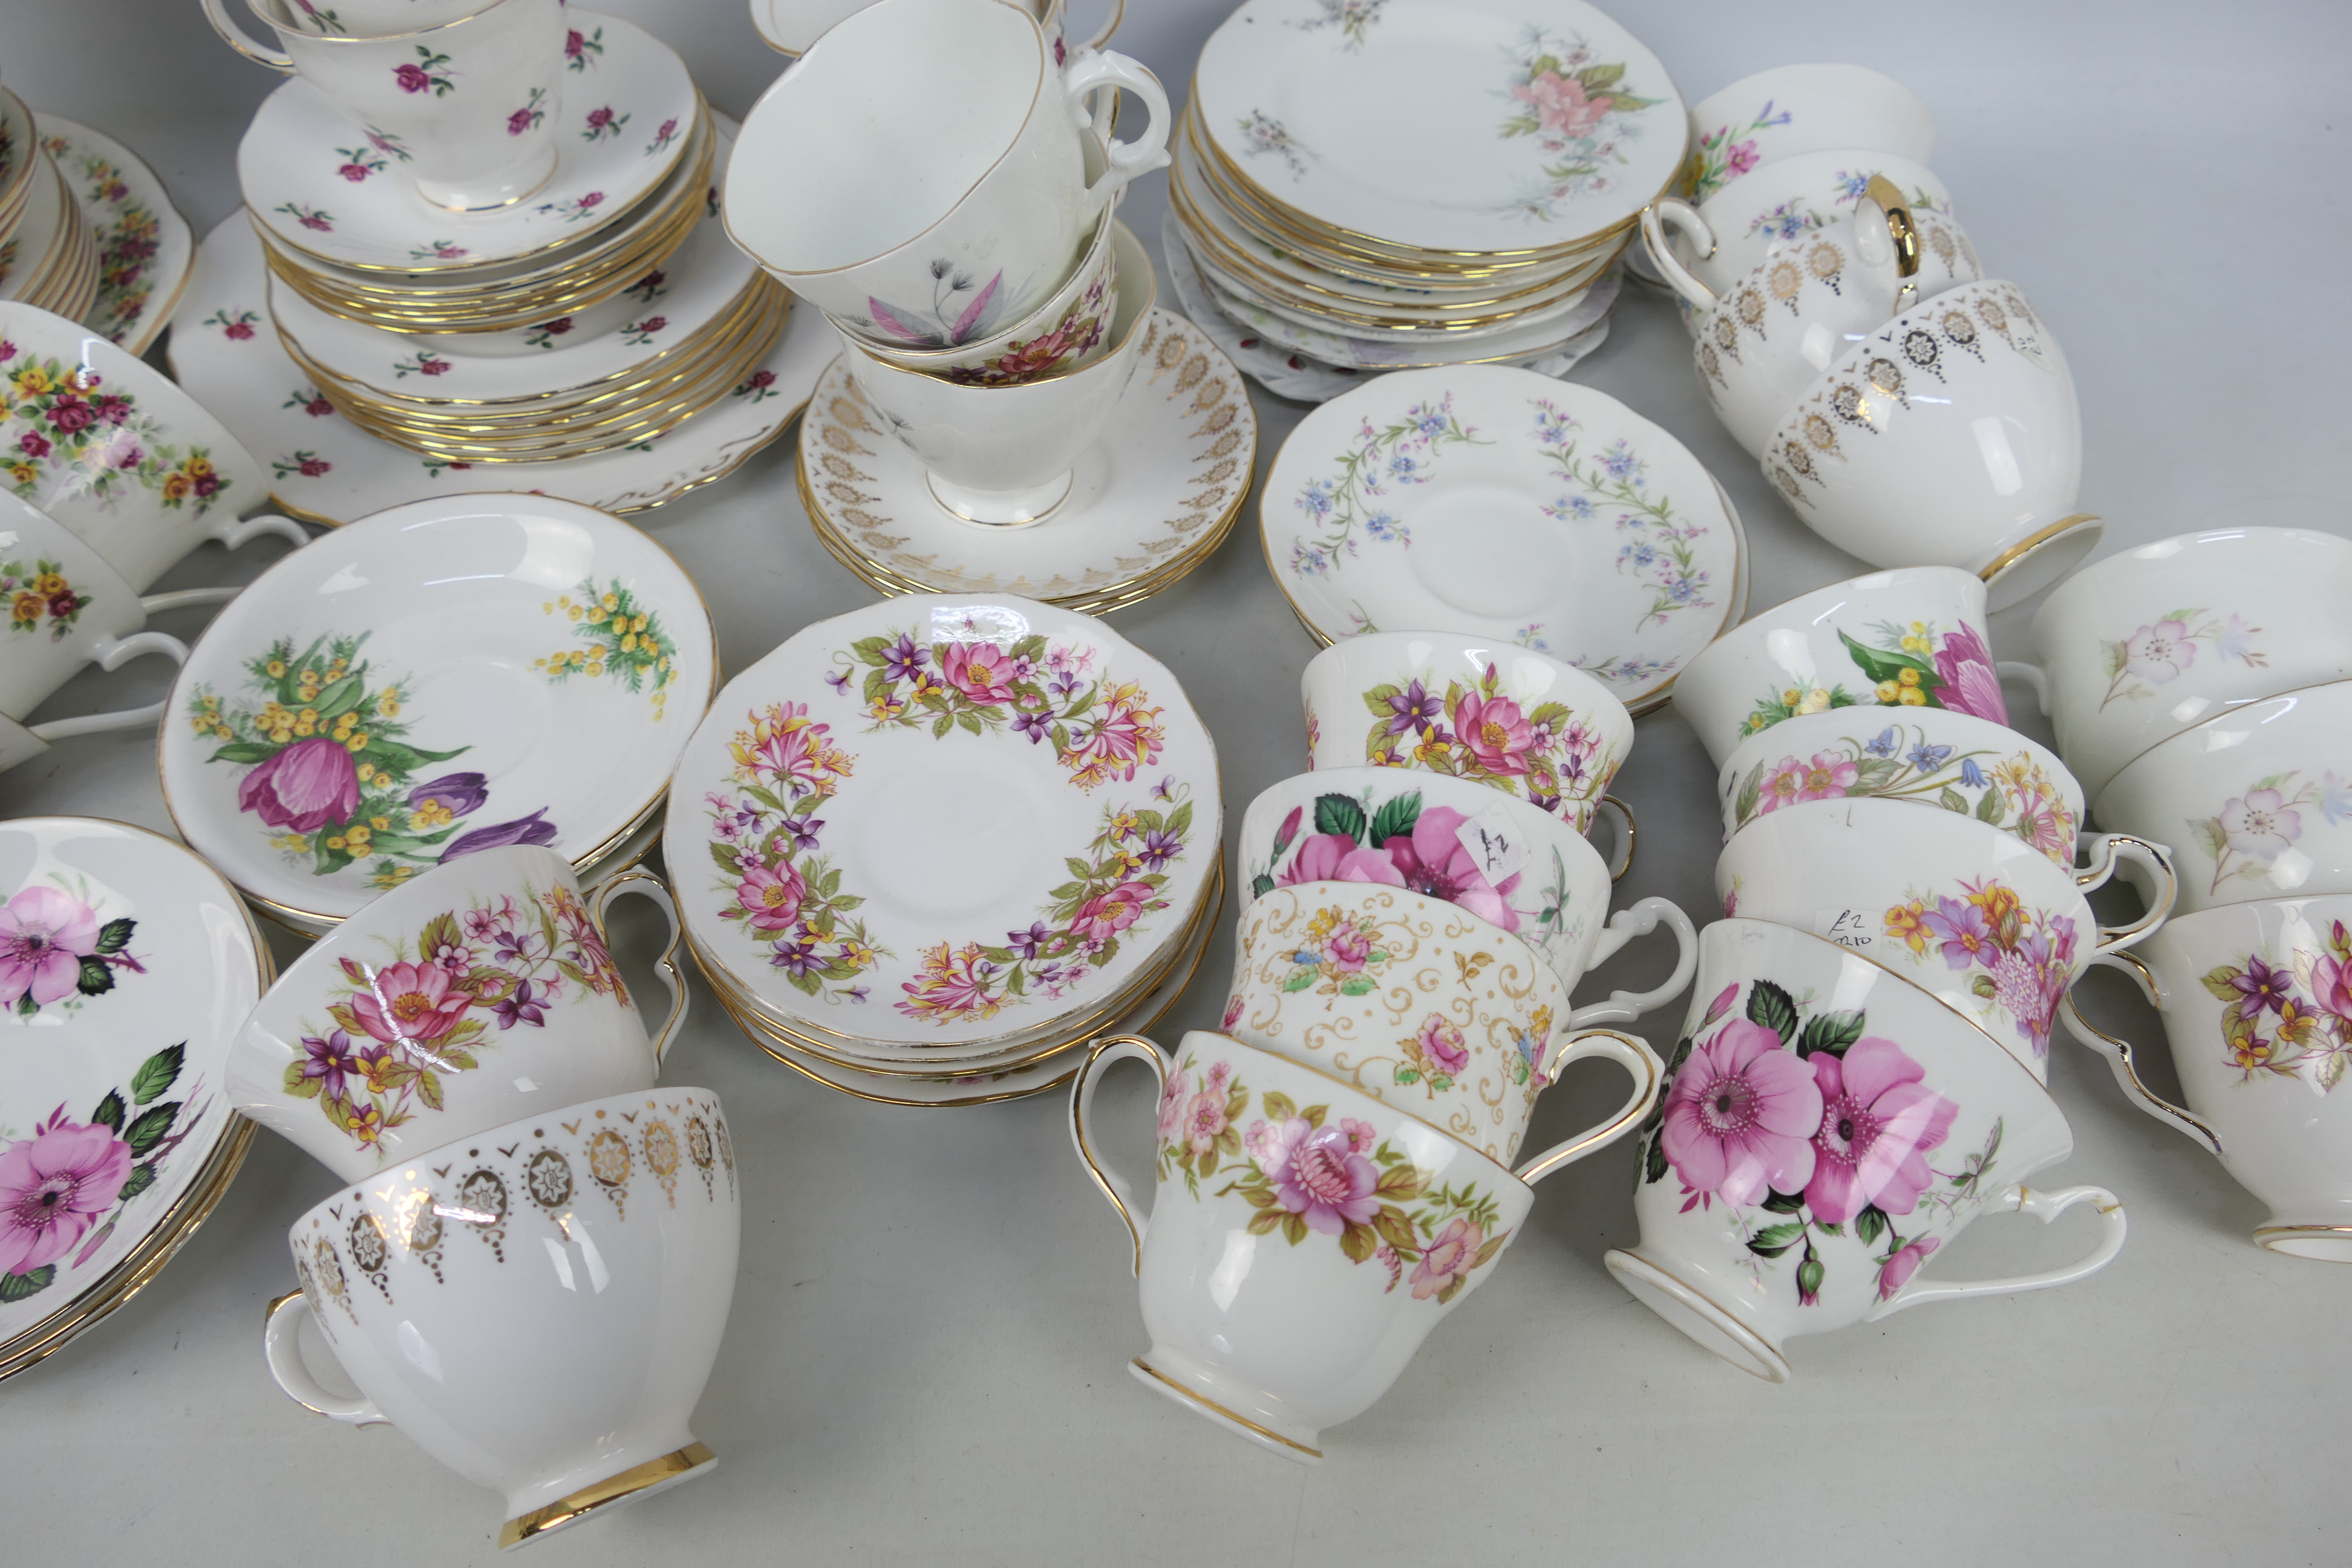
point(1417, 182)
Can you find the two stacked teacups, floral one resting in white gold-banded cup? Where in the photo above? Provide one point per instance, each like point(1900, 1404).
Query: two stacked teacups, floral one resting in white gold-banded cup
point(533, 1257)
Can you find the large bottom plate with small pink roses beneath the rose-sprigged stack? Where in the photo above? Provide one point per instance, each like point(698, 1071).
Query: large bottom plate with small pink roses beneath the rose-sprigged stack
point(227, 354)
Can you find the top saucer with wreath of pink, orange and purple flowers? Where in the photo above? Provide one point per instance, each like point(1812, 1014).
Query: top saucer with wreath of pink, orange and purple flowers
point(843, 892)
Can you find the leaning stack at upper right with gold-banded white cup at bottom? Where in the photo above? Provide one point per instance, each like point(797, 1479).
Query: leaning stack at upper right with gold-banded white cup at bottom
point(1911, 410)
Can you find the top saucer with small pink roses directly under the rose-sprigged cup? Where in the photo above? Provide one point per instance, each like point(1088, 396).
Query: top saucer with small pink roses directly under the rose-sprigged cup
point(295, 185)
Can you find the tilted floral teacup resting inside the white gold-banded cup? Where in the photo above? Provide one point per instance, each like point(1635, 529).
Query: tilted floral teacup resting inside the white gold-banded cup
point(465, 998)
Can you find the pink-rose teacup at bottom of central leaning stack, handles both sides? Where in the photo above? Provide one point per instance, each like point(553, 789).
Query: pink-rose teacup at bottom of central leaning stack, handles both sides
point(1307, 1238)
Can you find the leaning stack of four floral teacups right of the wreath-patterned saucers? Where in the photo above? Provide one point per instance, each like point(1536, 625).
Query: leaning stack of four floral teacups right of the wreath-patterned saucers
point(1408, 949)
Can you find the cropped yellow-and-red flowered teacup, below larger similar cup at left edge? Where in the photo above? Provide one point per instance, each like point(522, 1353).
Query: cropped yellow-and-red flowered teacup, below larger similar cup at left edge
point(67, 610)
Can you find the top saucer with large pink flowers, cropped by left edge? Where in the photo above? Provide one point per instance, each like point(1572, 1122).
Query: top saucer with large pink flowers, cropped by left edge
point(126, 970)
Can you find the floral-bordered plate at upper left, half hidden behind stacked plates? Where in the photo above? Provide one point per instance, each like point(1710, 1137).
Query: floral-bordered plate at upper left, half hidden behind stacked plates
point(145, 246)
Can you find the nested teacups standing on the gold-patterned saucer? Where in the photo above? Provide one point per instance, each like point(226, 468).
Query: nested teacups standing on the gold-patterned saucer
point(987, 300)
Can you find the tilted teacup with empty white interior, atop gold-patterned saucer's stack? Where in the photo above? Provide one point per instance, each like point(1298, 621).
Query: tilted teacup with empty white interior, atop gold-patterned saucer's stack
point(965, 206)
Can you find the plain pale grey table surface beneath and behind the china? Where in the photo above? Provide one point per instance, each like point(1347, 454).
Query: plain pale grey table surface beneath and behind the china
point(928, 1355)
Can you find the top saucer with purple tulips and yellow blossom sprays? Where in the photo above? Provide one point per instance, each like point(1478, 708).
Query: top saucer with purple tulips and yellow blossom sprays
point(519, 671)
